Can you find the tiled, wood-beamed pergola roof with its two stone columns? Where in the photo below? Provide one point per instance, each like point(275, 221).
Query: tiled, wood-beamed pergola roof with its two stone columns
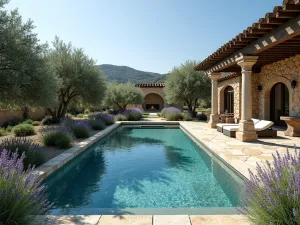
point(271, 39)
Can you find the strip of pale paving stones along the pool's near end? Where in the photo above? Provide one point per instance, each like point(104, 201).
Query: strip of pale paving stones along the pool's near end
point(142, 220)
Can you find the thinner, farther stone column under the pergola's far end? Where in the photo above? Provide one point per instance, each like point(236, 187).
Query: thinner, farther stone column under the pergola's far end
point(214, 117)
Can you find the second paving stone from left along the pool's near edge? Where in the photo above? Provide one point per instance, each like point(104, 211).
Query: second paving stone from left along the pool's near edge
point(125, 220)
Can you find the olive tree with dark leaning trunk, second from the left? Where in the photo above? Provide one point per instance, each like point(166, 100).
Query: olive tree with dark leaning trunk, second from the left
point(79, 77)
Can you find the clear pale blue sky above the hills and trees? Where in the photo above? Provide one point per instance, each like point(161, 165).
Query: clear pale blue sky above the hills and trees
point(149, 35)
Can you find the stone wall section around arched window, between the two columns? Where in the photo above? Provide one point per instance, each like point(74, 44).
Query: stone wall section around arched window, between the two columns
point(235, 83)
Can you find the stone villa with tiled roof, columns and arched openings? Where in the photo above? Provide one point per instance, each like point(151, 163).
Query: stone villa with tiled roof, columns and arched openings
point(257, 73)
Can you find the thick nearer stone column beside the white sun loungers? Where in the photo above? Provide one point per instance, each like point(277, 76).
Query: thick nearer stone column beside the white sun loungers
point(246, 130)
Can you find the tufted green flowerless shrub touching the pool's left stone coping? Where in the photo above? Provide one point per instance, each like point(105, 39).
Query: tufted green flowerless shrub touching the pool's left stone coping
point(58, 136)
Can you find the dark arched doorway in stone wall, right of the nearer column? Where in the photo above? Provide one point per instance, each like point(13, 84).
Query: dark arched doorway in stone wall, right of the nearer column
point(279, 103)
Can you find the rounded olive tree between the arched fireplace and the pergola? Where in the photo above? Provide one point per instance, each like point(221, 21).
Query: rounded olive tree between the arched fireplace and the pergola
point(185, 85)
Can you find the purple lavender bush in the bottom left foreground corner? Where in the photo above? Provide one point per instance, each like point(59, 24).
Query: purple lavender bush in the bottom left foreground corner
point(22, 195)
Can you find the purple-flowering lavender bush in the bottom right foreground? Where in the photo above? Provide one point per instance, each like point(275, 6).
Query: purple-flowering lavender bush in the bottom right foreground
point(272, 196)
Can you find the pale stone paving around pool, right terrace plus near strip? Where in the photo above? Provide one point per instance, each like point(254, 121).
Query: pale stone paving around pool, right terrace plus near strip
point(240, 155)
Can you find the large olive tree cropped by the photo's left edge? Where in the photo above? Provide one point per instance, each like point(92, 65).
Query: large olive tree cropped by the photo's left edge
point(24, 76)
